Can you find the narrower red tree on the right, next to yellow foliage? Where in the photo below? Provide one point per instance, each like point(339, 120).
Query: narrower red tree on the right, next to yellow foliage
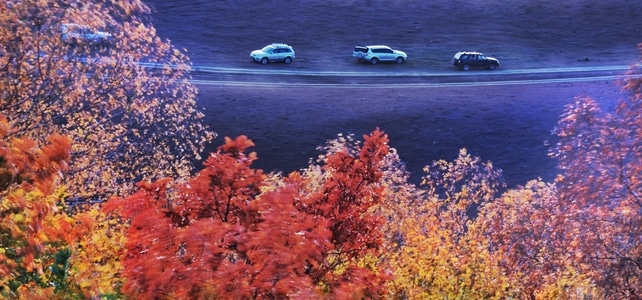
point(346, 190)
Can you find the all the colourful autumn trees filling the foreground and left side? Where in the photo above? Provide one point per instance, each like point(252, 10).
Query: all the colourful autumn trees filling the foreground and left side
point(109, 128)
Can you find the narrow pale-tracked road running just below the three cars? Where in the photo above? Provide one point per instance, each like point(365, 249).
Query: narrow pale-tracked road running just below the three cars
point(252, 77)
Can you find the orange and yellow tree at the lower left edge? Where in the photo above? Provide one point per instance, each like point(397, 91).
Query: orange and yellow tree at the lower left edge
point(34, 230)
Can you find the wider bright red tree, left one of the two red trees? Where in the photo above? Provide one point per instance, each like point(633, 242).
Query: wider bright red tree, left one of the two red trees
point(214, 238)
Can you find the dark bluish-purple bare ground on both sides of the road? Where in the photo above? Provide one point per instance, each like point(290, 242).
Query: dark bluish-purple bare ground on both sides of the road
point(508, 125)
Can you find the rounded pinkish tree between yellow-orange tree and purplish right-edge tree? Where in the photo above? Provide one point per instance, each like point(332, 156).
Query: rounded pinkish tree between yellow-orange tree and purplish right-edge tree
point(536, 245)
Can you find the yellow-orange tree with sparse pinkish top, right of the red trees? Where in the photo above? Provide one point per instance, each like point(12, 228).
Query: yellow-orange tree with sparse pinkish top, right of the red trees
point(436, 248)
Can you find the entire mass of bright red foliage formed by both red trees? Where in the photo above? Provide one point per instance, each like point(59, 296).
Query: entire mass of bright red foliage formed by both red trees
point(226, 234)
